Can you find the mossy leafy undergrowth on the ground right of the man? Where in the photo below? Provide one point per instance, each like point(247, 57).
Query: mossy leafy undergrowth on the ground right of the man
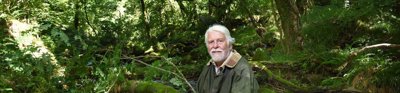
point(372, 72)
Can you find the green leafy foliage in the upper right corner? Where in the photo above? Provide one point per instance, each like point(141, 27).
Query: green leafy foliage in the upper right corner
point(340, 25)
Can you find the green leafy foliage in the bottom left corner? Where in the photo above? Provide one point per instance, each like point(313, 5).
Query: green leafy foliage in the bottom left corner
point(23, 73)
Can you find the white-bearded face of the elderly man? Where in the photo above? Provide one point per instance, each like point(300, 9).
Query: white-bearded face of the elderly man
point(218, 47)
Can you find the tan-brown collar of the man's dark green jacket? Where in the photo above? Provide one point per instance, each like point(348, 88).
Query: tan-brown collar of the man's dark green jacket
point(231, 61)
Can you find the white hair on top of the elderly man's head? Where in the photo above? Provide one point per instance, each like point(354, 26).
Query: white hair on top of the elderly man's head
point(222, 29)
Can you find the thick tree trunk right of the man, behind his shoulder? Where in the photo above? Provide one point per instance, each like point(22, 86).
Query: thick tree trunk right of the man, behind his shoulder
point(290, 25)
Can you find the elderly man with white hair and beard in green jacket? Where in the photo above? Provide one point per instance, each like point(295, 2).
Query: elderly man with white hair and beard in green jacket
point(227, 71)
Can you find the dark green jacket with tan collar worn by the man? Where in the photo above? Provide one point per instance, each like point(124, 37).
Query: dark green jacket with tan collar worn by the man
point(235, 76)
